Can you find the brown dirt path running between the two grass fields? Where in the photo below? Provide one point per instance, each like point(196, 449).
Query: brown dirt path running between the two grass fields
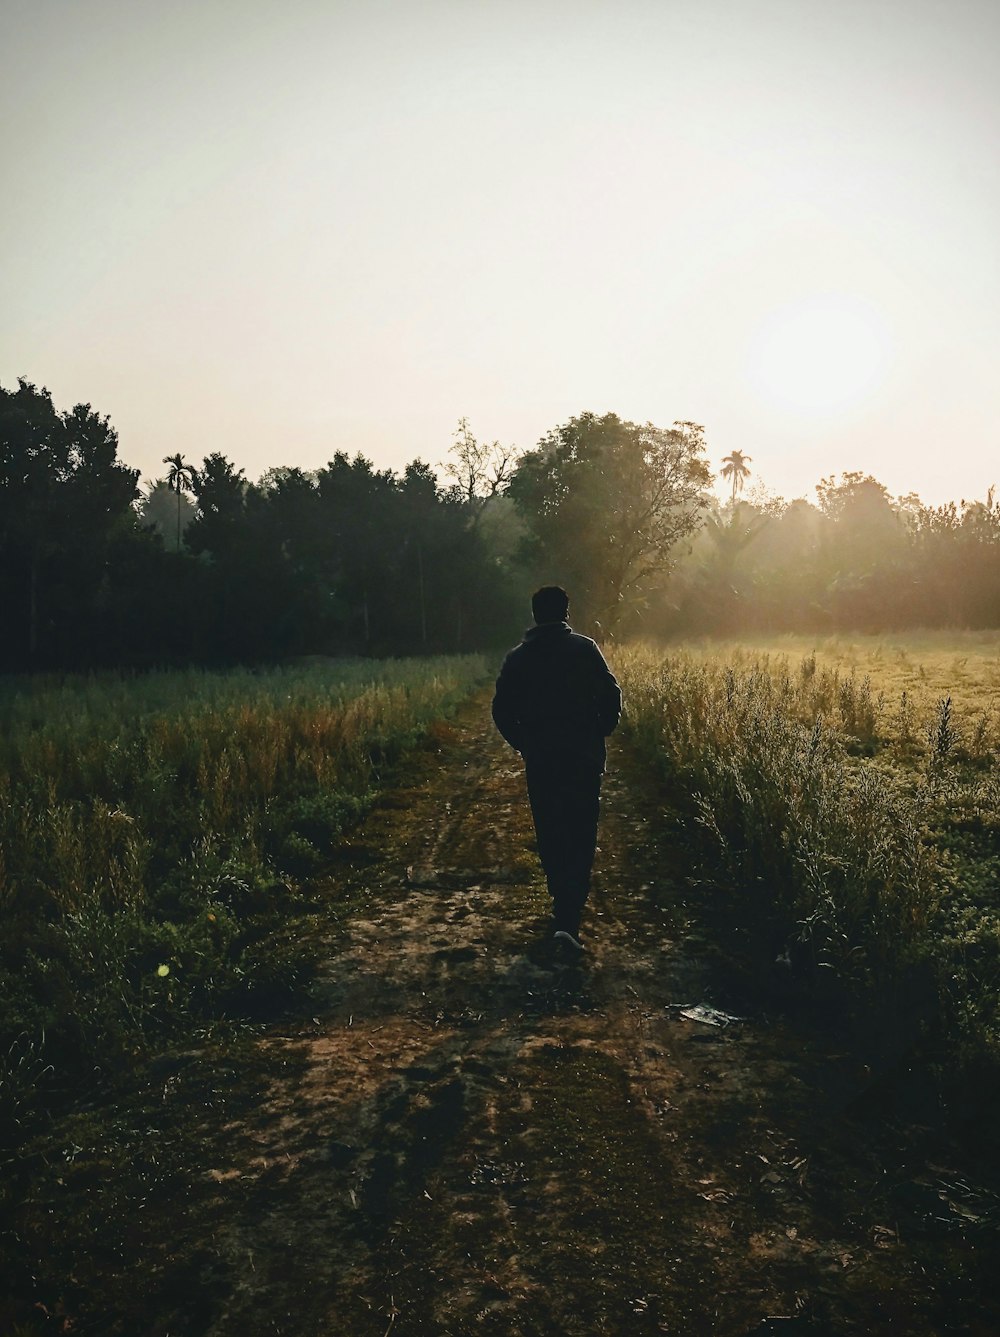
point(474, 1133)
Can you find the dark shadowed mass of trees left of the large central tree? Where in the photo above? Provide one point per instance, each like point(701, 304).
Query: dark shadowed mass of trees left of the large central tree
point(211, 568)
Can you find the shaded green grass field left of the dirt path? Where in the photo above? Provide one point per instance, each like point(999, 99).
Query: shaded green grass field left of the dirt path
point(157, 838)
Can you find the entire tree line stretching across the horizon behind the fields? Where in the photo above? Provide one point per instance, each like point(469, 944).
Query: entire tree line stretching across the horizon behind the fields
point(208, 566)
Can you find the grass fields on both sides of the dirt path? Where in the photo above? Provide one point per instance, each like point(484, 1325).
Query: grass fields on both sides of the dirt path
point(162, 836)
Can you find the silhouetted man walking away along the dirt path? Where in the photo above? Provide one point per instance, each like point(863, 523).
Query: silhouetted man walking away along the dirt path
point(555, 703)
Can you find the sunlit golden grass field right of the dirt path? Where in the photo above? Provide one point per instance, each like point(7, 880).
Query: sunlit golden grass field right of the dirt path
point(848, 791)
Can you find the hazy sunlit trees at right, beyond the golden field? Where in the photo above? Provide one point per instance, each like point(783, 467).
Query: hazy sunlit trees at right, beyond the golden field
point(859, 560)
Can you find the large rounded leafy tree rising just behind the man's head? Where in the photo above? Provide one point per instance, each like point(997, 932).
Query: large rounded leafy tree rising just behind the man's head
point(606, 503)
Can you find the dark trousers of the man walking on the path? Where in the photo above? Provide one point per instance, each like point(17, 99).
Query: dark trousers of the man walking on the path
point(565, 796)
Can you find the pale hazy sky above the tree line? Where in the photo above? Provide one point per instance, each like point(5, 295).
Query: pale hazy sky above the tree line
point(287, 228)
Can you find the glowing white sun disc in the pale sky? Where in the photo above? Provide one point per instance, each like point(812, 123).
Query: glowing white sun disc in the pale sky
point(819, 356)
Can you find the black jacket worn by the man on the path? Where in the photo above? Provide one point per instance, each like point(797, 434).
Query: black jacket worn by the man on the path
point(557, 697)
